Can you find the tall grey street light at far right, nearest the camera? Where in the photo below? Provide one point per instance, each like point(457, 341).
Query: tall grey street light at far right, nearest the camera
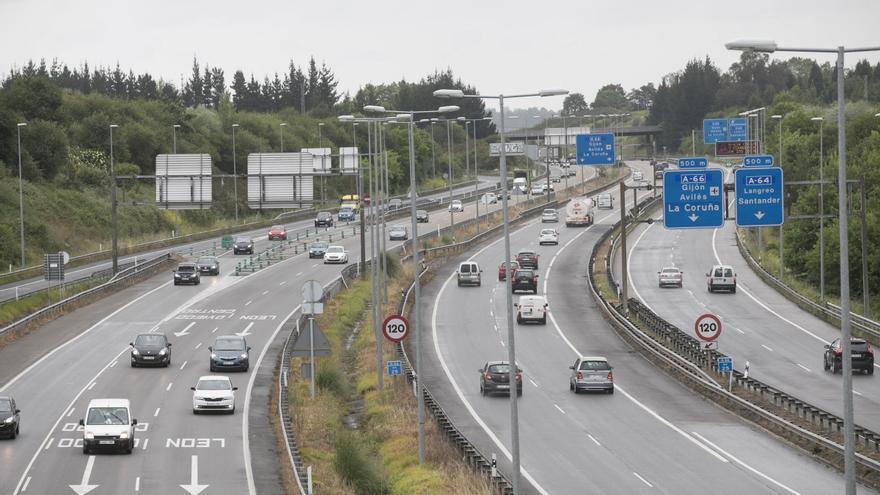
point(849, 427)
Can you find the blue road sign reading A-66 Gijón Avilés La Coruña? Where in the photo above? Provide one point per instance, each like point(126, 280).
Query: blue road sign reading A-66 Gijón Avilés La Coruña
point(693, 199)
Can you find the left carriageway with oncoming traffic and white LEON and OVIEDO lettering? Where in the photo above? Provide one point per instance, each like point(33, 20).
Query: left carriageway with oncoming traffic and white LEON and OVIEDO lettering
point(54, 372)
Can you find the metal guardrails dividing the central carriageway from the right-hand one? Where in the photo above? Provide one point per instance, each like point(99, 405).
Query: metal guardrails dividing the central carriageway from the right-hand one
point(683, 356)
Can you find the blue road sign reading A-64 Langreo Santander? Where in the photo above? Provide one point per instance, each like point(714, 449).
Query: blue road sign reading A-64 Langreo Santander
point(759, 198)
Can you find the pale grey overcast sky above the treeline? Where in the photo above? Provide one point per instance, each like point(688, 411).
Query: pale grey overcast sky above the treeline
point(497, 46)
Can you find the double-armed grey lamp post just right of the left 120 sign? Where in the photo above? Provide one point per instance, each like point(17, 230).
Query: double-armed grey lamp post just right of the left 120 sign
point(410, 118)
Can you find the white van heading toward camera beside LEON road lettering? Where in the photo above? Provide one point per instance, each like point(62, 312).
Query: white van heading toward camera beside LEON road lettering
point(108, 425)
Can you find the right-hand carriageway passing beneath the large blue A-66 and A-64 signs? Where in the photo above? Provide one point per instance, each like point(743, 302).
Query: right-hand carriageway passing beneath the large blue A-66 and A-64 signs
point(782, 343)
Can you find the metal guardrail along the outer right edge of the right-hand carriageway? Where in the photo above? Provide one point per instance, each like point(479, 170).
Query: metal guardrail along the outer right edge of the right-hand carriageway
point(828, 312)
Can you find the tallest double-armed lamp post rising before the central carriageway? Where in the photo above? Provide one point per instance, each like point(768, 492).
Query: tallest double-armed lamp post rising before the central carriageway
point(511, 350)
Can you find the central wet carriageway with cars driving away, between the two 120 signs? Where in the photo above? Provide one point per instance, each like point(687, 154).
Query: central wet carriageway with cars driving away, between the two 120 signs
point(651, 436)
